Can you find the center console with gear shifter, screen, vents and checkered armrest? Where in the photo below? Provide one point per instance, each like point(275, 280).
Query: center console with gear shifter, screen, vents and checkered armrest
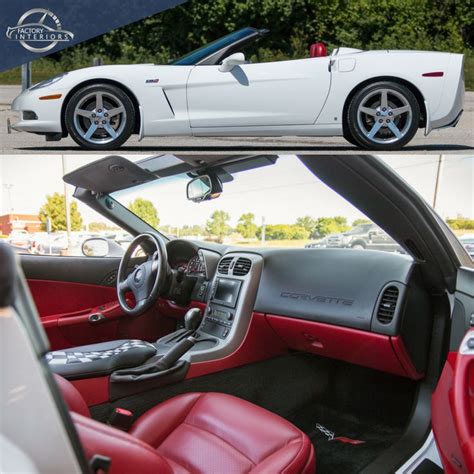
point(136, 366)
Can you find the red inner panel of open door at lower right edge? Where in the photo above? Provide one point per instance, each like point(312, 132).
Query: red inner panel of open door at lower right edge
point(452, 410)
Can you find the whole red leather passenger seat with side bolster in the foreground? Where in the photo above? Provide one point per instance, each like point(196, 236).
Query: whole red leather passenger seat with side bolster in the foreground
point(196, 433)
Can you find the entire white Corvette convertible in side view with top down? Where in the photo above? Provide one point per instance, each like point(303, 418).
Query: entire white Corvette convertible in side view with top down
point(375, 99)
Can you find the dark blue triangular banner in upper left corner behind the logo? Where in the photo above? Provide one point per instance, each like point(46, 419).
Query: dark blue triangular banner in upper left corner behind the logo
point(30, 29)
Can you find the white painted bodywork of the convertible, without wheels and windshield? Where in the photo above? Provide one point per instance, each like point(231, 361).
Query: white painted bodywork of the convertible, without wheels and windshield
point(298, 97)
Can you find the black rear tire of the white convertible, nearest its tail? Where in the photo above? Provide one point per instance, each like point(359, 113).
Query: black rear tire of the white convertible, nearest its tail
point(360, 125)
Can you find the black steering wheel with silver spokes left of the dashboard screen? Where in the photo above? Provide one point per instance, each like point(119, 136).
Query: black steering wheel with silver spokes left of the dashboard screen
point(147, 280)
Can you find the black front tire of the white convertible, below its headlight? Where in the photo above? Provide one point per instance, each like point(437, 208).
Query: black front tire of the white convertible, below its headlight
point(122, 124)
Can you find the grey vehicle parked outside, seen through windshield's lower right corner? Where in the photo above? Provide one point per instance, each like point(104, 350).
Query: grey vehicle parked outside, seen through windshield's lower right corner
point(364, 236)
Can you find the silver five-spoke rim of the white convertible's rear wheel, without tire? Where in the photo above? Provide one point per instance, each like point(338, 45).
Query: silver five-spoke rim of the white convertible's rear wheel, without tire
point(384, 116)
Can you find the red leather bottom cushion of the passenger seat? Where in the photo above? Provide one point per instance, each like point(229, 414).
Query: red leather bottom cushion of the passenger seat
point(224, 432)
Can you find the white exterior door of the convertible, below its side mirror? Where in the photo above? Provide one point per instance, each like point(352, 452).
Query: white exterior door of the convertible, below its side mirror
point(258, 94)
